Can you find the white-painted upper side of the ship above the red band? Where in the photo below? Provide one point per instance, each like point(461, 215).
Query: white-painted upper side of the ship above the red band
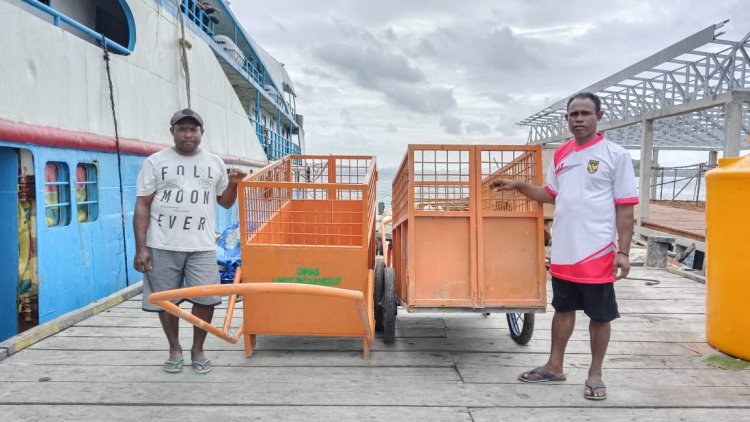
point(51, 77)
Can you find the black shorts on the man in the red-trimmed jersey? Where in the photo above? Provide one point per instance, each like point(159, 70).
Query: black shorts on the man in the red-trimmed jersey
point(595, 300)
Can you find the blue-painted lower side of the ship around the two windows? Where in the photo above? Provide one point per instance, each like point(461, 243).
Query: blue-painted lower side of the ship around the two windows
point(80, 262)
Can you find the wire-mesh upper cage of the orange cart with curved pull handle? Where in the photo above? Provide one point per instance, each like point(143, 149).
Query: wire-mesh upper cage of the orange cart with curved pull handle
point(310, 200)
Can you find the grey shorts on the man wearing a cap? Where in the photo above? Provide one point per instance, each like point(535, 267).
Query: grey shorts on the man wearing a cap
point(174, 270)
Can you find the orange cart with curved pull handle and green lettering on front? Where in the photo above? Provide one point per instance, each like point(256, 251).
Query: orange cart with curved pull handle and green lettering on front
point(307, 233)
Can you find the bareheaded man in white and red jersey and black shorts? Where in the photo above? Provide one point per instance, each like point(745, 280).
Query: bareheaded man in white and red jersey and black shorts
point(593, 186)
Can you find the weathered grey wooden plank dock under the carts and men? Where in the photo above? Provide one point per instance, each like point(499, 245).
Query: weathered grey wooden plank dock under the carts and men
point(457, 367)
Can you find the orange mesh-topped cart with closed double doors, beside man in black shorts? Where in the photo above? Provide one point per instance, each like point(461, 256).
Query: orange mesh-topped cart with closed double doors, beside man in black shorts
point(458, 245)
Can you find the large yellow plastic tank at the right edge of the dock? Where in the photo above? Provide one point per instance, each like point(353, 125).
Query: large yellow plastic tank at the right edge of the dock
point(727, 241)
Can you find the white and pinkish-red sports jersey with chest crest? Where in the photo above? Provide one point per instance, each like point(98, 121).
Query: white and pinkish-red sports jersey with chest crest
point(587, 182)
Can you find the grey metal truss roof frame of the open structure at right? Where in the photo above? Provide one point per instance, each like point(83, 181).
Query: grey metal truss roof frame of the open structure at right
point(683, 88)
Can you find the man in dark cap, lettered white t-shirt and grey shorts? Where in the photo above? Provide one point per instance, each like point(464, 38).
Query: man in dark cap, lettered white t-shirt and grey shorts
point(177, 192)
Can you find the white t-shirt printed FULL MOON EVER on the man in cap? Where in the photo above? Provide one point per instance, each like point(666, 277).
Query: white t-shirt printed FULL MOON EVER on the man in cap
point(184, 206)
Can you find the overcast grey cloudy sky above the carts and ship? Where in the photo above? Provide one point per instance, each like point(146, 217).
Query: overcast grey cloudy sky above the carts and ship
point(372, 77)
